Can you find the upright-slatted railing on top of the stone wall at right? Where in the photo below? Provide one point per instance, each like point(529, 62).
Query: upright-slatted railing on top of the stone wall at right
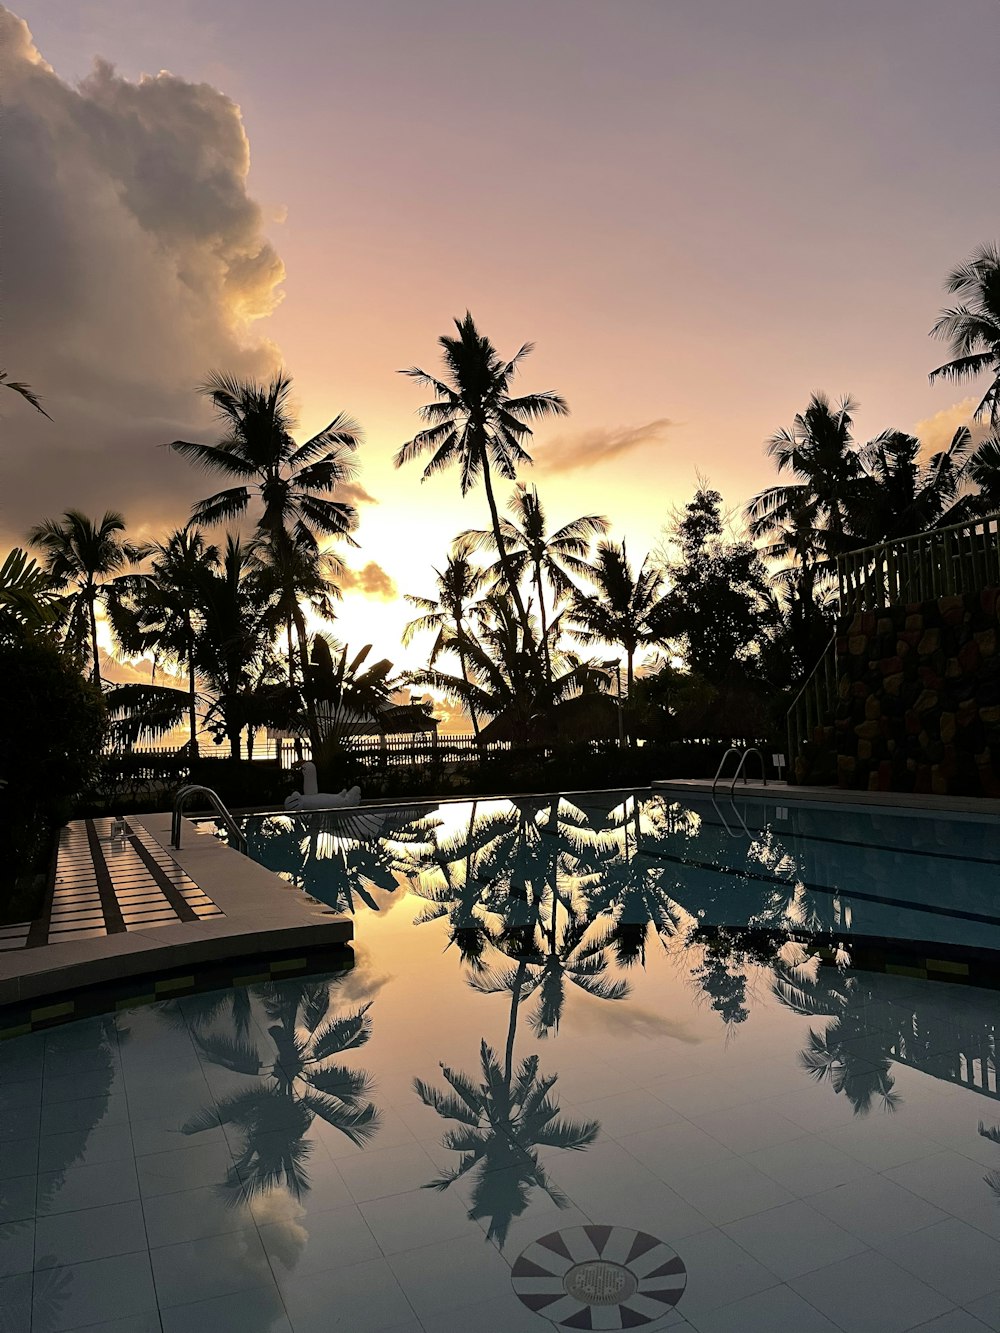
point(922, 569)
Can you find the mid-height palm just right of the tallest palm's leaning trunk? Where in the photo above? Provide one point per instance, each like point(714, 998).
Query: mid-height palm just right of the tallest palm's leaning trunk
point(531, 550)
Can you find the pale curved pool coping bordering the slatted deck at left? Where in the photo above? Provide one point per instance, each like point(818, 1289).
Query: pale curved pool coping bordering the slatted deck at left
point(263, 914)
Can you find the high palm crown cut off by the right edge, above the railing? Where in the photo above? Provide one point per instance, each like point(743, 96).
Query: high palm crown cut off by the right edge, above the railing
point(973, 329)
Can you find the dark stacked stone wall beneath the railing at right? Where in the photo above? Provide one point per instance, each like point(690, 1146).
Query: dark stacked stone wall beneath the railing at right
point(919, 698)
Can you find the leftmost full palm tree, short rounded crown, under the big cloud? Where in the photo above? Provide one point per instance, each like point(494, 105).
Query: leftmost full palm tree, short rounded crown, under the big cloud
point(85, 557)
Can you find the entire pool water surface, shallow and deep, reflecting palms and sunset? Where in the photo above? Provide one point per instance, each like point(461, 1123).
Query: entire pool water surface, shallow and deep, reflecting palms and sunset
point(557, 1091)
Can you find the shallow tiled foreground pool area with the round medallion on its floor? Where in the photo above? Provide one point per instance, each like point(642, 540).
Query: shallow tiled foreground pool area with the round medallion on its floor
point(806, 1143)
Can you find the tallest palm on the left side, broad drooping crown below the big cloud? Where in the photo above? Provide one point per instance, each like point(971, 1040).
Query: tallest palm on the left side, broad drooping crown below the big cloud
point(293, 485)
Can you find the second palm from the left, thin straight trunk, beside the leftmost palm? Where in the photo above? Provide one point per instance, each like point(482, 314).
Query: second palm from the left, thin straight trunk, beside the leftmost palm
point(158, 611)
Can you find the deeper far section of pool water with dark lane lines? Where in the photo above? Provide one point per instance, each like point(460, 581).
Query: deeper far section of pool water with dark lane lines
point(642, 859)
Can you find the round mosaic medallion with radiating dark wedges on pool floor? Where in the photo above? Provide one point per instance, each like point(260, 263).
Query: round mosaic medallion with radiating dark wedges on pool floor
point(599, 1278)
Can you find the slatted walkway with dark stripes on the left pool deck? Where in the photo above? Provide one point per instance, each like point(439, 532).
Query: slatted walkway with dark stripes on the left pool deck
point(107, 888)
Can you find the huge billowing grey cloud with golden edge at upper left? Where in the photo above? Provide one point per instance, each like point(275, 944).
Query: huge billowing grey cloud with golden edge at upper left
point(135, 262)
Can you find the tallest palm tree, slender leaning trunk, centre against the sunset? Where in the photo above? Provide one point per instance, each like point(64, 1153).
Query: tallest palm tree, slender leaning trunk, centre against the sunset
point(478, 426)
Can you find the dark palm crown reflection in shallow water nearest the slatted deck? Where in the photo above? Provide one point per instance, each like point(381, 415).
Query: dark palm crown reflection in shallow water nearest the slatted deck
point(298, 1082)
